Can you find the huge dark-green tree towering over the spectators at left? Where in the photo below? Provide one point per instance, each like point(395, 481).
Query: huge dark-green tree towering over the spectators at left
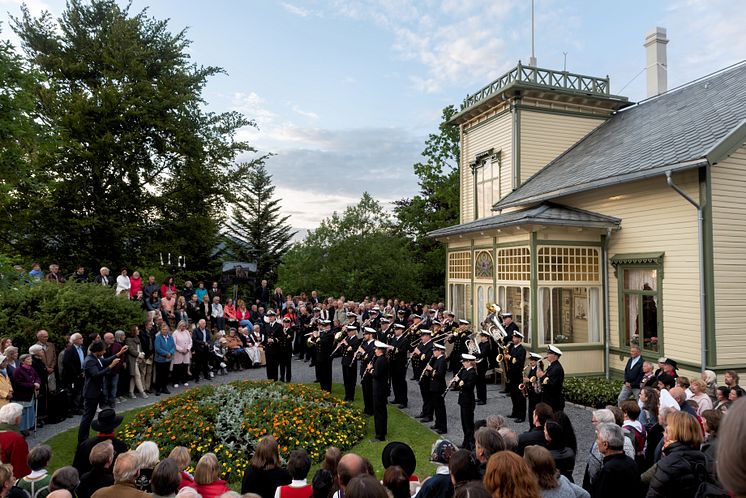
point(138, 165)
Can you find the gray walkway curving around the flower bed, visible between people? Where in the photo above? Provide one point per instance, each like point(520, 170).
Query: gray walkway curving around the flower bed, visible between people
point(496, 404)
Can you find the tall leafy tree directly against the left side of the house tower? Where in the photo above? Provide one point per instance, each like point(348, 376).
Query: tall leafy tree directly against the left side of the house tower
point(436, 205)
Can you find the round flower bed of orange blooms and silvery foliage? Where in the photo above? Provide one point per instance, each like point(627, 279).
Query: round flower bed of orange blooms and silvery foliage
point(228, 420)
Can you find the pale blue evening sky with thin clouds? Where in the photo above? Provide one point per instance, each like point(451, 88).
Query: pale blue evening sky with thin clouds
point(345, 92)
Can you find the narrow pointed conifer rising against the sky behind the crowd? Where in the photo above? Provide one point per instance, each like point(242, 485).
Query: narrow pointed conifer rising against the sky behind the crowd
point(257, 231)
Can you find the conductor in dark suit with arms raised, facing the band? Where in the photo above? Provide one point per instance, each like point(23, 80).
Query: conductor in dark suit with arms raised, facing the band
point(96, 369)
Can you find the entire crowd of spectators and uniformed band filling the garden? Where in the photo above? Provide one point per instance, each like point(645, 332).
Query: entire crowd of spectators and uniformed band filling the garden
point(663, 438)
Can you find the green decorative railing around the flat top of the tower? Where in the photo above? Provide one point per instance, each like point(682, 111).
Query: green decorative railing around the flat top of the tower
point(542, 77)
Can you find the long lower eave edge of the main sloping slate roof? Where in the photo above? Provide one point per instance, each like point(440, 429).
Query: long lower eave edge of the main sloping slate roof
point(605, 182)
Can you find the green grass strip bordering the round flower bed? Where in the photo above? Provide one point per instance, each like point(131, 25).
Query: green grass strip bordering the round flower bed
point(400, 428)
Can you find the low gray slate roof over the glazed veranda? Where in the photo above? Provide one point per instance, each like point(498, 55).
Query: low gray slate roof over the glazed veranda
point(544, 214)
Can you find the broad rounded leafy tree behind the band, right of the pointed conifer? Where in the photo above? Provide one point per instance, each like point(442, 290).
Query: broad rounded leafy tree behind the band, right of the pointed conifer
point(356, 253)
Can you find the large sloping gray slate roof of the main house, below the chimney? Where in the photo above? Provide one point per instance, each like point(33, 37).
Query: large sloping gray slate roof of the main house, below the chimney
point(698, 123)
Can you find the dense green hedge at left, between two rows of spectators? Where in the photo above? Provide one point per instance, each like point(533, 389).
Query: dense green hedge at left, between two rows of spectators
point(62, 310)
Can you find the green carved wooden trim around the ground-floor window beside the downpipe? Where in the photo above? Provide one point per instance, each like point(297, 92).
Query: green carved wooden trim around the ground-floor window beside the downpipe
point(623, 262)
